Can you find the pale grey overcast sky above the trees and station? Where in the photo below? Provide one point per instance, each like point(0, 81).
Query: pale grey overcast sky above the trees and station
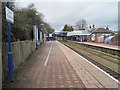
point(58, 13)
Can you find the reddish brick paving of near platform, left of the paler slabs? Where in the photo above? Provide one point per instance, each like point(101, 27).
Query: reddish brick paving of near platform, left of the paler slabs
point(58, 73)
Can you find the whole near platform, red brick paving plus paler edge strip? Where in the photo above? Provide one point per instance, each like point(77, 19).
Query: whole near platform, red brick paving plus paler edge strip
point(54, 65)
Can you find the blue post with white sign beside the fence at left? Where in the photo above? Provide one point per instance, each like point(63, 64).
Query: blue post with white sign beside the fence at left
point(9, 18)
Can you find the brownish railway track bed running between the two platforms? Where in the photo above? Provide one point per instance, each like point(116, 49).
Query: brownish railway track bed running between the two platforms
point(107, 62)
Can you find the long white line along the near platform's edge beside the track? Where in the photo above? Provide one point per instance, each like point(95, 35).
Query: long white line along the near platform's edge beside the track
point(93, 65)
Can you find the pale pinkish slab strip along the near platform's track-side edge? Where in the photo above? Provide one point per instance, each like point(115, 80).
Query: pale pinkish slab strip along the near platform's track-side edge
point(90, 75)
